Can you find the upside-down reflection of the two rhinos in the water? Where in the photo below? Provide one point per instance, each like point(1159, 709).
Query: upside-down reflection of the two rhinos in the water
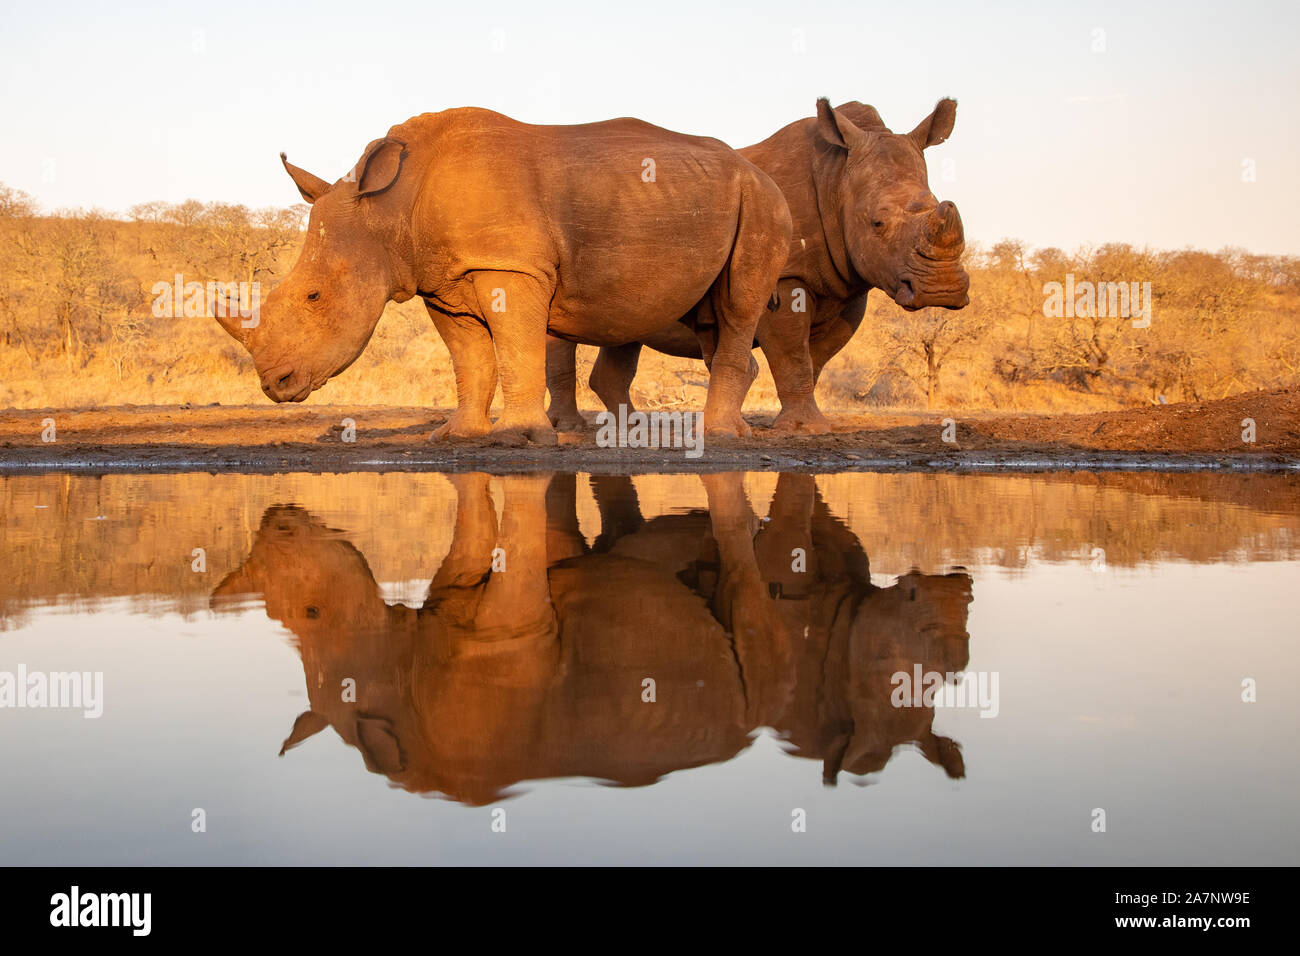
point(536, 672)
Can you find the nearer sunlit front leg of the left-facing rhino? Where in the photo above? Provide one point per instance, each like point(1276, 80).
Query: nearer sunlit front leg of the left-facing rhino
point(515, 308)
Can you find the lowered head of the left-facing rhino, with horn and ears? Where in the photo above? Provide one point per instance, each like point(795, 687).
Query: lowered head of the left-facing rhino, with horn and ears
point(318, 322)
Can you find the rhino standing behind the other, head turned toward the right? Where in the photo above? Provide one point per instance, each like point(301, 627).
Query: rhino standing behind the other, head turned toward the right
point(864, 219)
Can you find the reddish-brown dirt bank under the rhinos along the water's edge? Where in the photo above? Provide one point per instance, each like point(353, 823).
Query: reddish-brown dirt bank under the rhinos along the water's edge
point(1203, 436)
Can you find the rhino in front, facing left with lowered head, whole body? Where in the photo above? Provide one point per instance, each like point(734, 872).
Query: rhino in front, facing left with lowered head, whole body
point(600, 233)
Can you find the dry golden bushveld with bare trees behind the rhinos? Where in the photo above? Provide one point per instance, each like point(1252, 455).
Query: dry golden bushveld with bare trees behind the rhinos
point(79, 326)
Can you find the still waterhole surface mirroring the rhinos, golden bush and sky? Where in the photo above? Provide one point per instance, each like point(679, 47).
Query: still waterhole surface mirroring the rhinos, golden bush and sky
point(461, 669)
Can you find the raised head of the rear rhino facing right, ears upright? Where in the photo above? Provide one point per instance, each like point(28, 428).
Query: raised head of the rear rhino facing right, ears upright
point(898, 236)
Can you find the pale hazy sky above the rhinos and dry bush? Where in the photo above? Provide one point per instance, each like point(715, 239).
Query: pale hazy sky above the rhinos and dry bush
point(1167, 124)
